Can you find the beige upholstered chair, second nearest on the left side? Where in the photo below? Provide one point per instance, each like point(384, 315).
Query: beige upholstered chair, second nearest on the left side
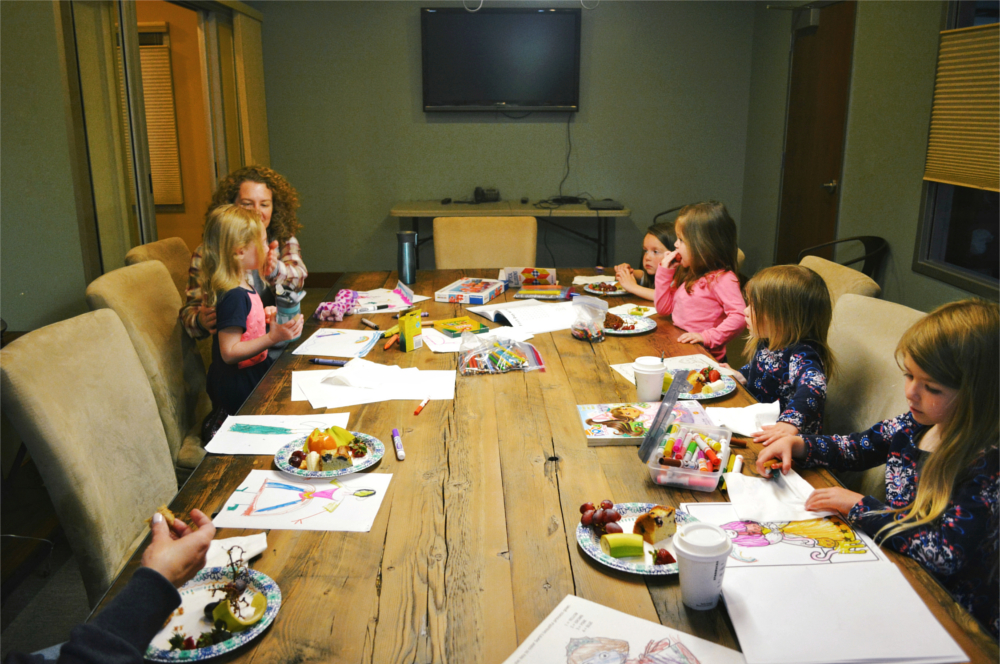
point(144, 297)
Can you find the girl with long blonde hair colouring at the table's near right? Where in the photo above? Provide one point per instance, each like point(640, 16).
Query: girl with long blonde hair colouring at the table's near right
point(942, 466)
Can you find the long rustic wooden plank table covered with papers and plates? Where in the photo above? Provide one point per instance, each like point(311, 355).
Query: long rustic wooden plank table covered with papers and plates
point(474, 543)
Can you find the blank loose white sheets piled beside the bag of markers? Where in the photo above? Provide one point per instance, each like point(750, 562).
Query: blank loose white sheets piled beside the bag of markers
point(361, 381)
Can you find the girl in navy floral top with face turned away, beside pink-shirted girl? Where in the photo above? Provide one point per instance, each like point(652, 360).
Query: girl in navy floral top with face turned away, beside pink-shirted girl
point(788, 314)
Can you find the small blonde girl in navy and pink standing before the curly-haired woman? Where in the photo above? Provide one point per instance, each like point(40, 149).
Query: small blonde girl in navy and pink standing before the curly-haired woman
point(233, 245)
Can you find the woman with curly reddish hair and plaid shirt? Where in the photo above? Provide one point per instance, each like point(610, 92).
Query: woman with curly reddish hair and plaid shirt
point(265, 191)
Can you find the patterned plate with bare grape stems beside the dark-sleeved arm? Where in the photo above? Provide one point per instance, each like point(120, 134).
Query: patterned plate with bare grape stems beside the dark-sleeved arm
point(190, 625)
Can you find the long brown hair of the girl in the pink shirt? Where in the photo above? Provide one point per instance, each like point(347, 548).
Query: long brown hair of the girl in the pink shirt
point(711, 234)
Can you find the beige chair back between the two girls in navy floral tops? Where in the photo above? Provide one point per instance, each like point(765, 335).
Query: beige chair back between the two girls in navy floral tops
point(868, 385)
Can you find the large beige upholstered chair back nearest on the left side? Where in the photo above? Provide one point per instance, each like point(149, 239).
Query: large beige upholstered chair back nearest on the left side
point(78, 396)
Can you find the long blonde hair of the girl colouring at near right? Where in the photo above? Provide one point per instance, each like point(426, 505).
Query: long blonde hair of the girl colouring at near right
point(957, 346)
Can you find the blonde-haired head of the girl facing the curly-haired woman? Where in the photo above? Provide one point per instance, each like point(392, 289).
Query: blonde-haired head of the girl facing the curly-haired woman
point(228, 228)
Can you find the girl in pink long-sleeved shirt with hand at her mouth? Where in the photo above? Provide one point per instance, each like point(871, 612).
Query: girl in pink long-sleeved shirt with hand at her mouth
point(697, 282)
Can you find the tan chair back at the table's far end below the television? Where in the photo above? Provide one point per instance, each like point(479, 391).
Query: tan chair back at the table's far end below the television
point(482, 242)
